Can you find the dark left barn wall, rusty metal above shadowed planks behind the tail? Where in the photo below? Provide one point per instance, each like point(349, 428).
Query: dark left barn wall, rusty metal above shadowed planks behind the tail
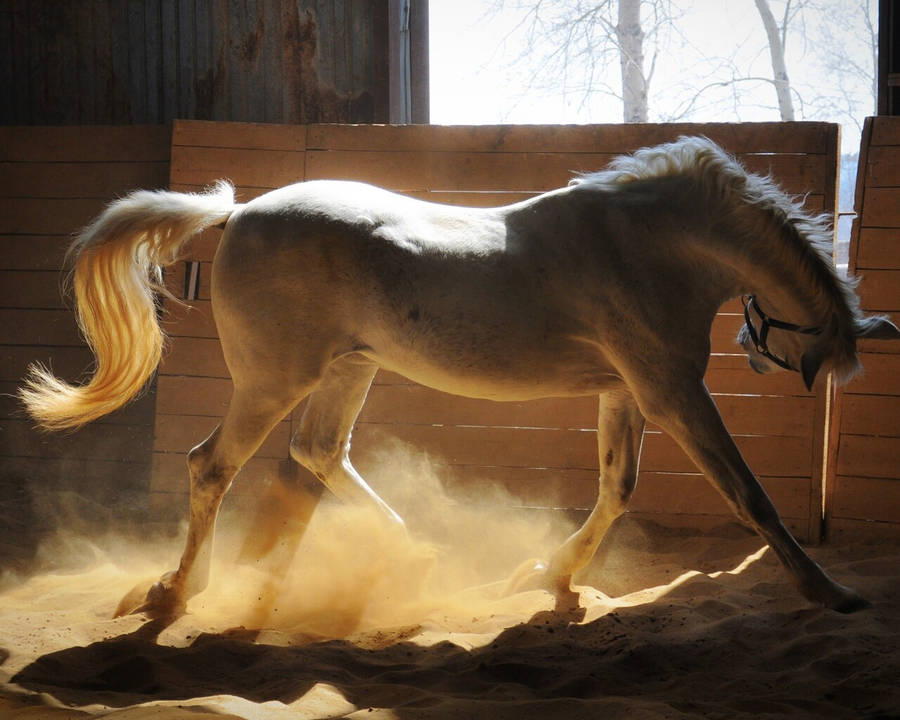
point(88, 92)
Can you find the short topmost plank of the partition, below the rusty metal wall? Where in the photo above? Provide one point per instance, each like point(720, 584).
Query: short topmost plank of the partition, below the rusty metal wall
point(246, 136)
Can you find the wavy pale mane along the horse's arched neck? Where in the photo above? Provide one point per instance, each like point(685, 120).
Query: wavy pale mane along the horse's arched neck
point(726, 187)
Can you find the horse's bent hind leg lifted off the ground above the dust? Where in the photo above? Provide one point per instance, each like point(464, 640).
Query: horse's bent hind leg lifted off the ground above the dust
point(322, 444)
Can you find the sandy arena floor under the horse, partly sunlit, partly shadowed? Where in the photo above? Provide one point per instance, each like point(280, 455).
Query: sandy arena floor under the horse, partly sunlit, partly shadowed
point(369, 623)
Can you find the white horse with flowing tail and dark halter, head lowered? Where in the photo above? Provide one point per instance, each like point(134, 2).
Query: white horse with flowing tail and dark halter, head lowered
point(606, 287)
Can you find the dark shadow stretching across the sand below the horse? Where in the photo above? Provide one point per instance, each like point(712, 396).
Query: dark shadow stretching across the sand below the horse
point(669, 658)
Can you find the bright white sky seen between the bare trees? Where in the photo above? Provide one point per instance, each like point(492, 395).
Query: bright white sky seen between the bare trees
point(476, 78)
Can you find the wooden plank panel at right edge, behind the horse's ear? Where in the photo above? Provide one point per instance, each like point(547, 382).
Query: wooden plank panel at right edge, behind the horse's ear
point(864, 479)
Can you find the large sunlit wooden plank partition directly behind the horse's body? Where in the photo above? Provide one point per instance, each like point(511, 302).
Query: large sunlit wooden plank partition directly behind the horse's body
point(545, 451)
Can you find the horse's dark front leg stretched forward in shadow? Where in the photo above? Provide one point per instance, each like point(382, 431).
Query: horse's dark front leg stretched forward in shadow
point(687, 412)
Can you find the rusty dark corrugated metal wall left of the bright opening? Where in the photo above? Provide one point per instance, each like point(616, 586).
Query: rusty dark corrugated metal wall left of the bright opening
point(129, 62)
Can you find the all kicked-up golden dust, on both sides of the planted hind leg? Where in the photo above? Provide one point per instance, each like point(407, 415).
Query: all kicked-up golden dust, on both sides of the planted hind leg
point(348, 572)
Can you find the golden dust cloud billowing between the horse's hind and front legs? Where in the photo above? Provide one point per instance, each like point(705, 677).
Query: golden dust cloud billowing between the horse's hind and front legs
point(355, 573)
